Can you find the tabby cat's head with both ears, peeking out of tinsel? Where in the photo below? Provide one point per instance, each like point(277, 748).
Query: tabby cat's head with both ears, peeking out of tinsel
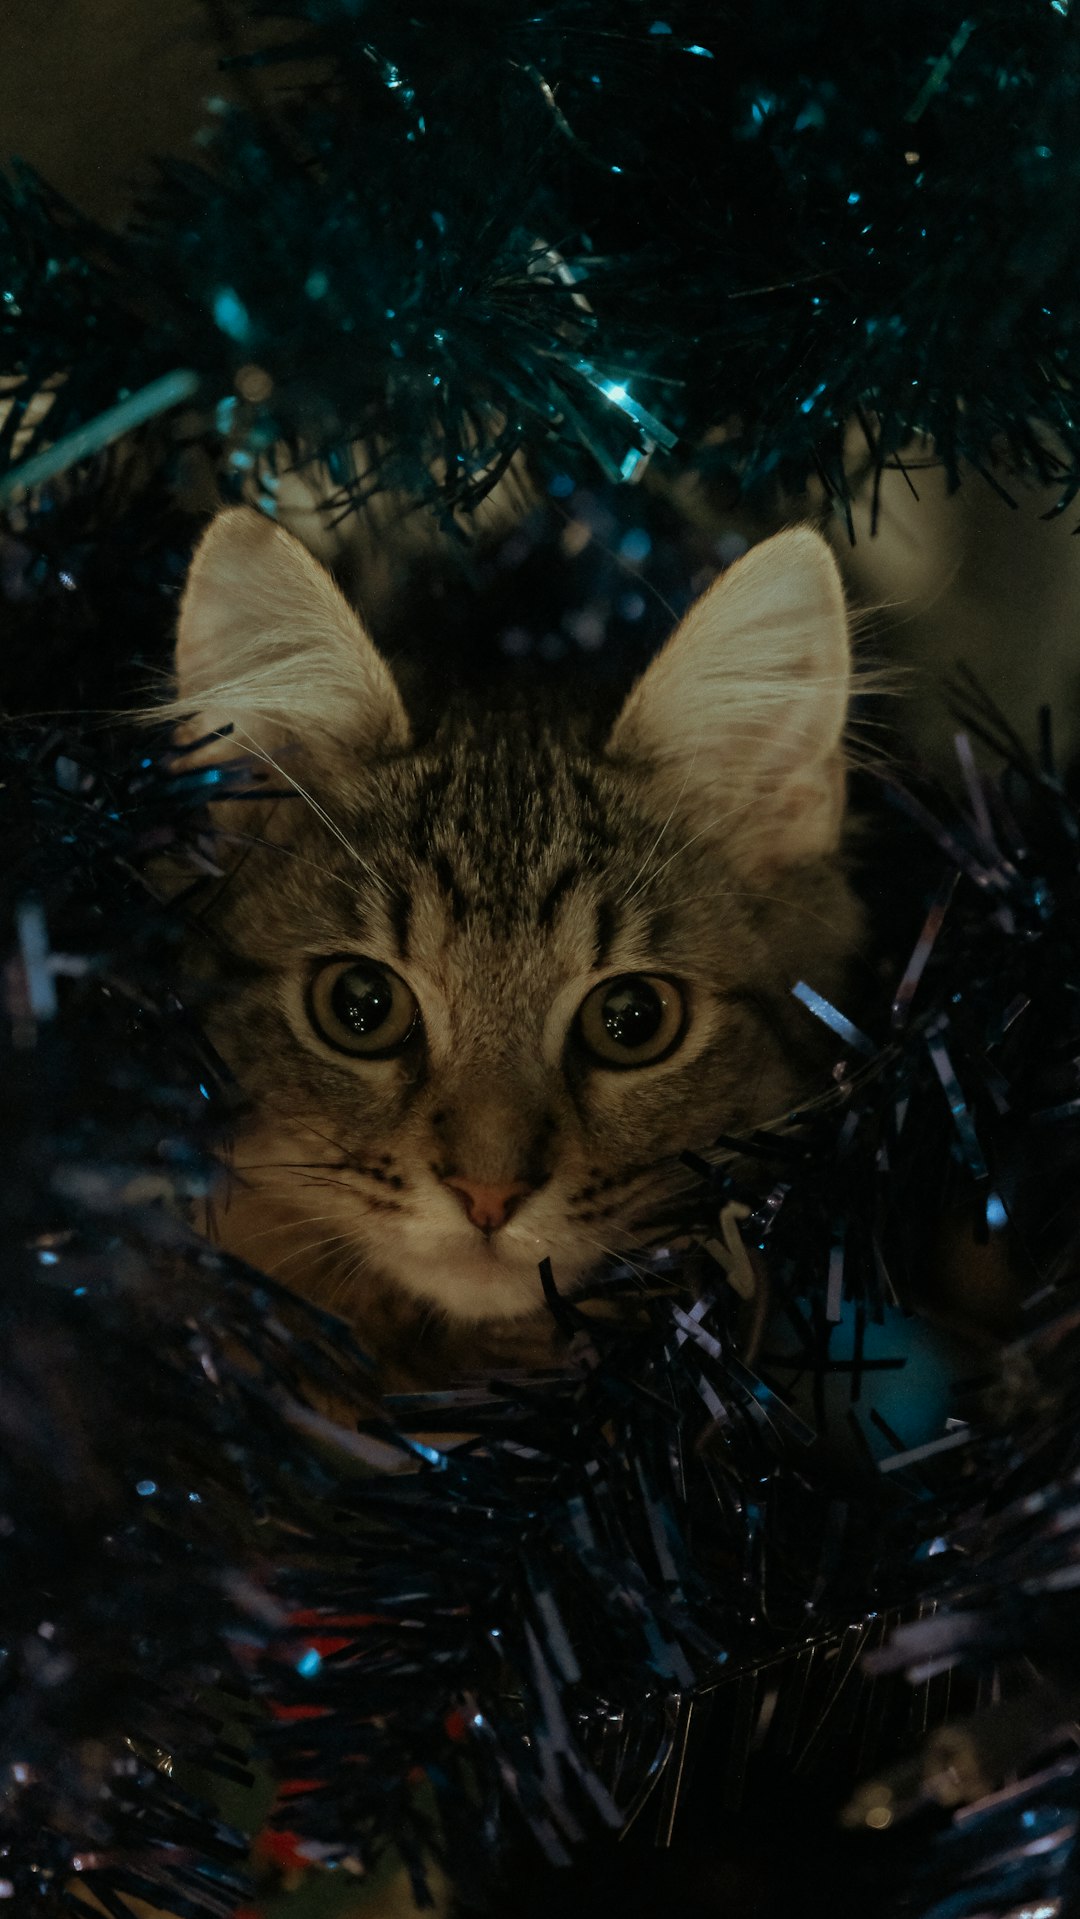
point(484, 987)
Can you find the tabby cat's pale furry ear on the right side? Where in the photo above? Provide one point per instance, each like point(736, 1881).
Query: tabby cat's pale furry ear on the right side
point(741, 717)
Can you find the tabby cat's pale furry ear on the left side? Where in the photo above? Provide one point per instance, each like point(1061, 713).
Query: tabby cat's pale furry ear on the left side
point(270, 644)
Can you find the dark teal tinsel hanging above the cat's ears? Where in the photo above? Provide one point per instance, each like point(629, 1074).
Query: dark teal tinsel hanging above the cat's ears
point(791, 243)
